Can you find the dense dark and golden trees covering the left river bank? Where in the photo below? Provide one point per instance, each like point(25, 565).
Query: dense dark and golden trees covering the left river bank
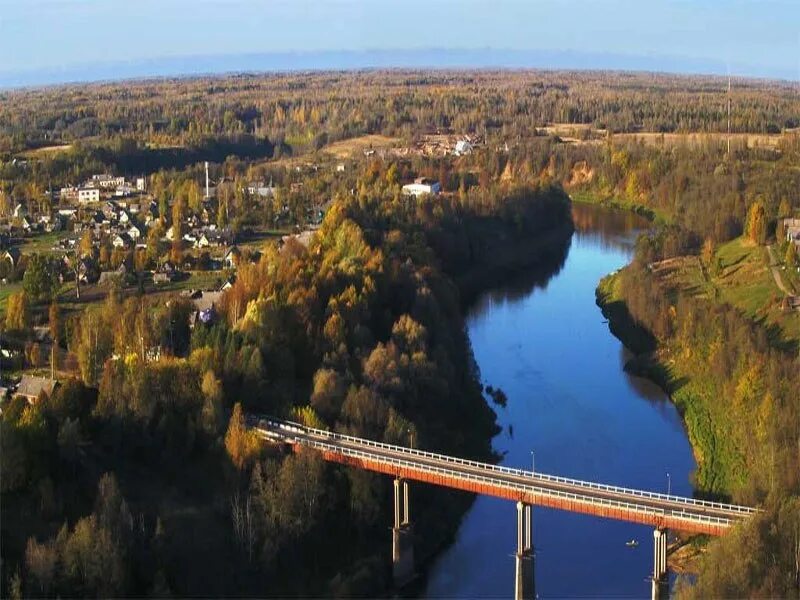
point(360, 332)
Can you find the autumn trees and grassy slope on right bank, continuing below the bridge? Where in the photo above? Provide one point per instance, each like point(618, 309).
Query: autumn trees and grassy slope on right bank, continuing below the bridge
point(738, 396)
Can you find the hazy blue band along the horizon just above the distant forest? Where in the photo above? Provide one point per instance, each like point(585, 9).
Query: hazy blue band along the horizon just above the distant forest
point(180, 67)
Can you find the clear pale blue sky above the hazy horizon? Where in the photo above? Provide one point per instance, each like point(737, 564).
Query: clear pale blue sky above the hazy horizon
point(759, 38)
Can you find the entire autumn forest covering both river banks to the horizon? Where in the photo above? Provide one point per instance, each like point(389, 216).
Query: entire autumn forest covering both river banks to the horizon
point(137, 478)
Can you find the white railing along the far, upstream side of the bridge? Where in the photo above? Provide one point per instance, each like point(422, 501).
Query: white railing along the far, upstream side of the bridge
point(297, 428)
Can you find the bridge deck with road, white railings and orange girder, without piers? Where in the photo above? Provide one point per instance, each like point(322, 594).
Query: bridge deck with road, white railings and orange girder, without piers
point(638, 506)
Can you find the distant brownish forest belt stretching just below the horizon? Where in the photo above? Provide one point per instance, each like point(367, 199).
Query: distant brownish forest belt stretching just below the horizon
point(301, 112)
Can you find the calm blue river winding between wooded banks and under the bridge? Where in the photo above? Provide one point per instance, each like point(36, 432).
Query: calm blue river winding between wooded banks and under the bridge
point(570, 403)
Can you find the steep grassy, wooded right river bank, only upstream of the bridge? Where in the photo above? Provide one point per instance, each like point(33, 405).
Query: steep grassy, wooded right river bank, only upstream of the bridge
point(724, 372)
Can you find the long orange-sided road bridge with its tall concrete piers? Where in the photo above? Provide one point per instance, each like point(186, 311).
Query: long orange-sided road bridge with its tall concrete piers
point(526, 488)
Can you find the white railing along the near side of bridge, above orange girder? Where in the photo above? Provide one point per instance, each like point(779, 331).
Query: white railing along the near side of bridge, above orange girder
point(595, 501)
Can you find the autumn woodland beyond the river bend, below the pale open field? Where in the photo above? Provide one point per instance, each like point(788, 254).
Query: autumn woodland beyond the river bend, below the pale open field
point(699, 188)
